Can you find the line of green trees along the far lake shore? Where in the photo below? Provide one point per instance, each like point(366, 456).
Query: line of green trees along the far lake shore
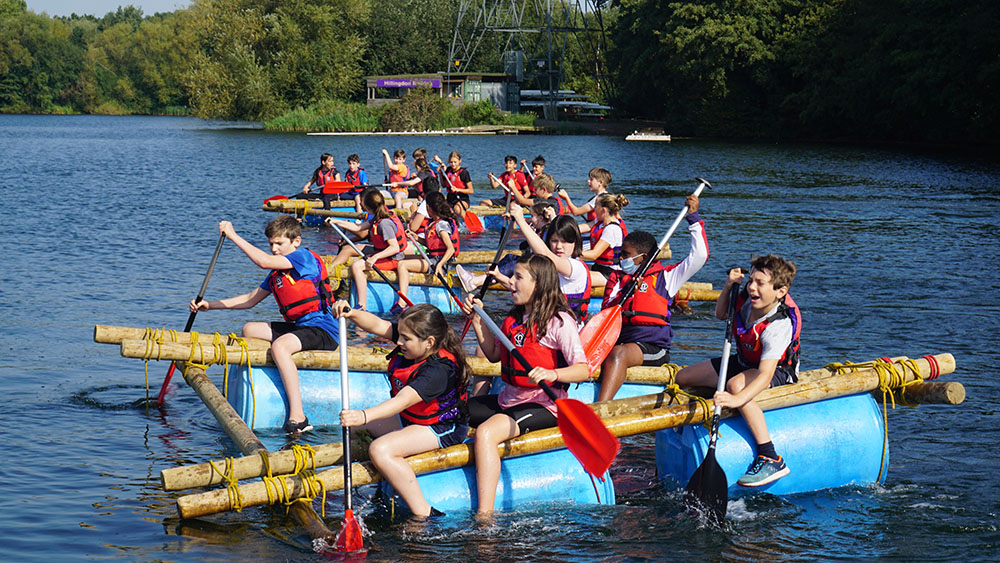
point(906, 70)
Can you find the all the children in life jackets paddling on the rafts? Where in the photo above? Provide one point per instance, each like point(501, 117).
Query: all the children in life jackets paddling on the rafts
point(434, 401)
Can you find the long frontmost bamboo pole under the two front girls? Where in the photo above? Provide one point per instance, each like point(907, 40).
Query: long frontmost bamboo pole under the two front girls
point(861, 381)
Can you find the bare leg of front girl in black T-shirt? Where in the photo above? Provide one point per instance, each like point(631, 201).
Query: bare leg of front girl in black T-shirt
point(388, 452)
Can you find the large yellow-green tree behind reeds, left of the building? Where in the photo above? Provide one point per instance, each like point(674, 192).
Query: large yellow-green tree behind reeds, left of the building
point(258, 59)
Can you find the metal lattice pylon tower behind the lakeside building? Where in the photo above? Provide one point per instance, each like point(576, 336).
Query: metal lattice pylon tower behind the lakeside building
point(530, 37)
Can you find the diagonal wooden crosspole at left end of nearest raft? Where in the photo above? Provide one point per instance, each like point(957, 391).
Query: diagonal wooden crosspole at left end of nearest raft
point(246, 440)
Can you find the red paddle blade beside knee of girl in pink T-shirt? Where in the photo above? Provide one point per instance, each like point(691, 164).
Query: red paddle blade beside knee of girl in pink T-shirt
point(586, 437)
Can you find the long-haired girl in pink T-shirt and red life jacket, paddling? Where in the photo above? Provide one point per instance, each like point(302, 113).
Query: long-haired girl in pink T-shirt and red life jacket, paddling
point(542, 327)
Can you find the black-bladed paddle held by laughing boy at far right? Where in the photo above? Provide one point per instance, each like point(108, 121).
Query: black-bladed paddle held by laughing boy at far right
point(708, 487)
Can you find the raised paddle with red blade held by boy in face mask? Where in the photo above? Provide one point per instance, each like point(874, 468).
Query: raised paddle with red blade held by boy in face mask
point(600, 334)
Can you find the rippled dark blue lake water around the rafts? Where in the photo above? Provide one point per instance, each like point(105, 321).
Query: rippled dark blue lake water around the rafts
point(112, 220)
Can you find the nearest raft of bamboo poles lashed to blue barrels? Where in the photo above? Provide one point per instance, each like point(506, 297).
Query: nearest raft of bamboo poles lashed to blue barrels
point(829, 427)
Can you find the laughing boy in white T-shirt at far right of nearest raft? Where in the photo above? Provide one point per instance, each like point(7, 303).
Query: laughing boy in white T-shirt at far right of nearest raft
point(766, 332)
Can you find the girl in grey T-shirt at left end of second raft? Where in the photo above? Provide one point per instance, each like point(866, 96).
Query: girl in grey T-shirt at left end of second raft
point(387, 238)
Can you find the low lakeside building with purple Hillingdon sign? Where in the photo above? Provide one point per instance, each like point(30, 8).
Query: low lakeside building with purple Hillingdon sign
point(500, 89)
